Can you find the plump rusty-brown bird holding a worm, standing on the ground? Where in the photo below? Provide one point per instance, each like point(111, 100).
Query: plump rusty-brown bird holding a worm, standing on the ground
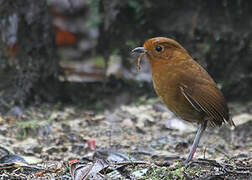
point(184, 86)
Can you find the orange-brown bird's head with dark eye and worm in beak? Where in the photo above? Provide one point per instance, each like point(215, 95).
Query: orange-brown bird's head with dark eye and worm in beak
point(161, 50)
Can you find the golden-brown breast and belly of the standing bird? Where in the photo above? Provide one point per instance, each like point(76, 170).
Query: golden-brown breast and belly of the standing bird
point(166, 81)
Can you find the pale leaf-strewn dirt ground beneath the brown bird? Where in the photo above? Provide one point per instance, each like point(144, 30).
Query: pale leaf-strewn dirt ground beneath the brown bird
point(137, 141)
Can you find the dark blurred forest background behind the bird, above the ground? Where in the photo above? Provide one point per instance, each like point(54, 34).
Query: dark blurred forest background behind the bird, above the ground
point(66, 50)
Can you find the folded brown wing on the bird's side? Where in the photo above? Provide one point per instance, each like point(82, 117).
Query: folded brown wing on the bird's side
point(204, 96)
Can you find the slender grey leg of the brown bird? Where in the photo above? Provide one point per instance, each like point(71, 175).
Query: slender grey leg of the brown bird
point(200, 130)
